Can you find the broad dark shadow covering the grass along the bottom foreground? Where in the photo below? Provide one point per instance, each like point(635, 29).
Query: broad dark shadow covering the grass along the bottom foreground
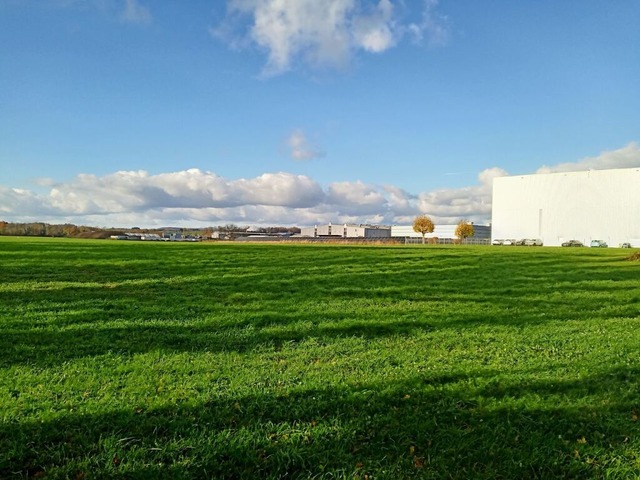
point(423, 427)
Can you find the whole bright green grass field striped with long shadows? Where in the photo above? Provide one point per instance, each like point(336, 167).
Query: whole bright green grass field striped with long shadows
point(167, 360)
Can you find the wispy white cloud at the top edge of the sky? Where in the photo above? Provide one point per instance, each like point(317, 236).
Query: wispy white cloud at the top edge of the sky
point(321, 33)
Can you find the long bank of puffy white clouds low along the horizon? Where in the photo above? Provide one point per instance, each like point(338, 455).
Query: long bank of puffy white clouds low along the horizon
point(195, 197)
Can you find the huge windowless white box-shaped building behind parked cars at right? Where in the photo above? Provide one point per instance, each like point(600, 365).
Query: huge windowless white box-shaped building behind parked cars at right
point(557, 207)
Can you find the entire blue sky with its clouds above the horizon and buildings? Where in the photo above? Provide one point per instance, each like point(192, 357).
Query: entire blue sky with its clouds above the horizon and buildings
point(295, 112)
